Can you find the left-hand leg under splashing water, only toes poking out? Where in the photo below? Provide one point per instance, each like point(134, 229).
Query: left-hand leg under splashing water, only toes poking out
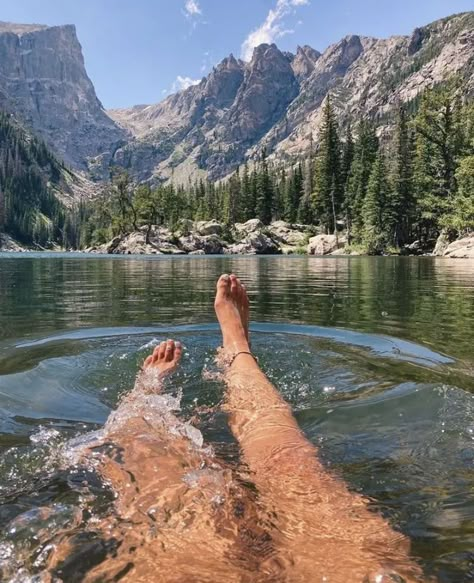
point(178, 514)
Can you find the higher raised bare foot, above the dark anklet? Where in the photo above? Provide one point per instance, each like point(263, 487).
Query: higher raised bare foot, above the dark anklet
point(232, 309)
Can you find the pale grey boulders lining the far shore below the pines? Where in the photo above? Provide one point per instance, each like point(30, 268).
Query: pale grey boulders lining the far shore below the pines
point(250, 238)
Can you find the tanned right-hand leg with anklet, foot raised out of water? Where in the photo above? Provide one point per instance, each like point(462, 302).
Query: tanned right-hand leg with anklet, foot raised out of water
point(325, 528)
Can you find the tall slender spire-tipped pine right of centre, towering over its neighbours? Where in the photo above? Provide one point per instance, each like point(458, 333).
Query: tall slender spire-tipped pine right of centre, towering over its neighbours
point(327, 181)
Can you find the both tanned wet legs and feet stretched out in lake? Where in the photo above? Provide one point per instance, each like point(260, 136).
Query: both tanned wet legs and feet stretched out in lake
point(298, 522)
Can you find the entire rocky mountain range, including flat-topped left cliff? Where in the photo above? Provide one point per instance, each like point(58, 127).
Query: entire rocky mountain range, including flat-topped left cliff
point(275, 100)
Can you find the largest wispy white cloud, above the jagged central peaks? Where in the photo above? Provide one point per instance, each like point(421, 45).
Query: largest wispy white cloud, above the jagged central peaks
point(272, 28)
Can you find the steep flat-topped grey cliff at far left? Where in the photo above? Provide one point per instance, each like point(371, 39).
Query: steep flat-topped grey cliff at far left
point(44, 82)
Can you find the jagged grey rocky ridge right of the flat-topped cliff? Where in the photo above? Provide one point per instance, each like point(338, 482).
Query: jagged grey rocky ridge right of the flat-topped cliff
point(276, 100)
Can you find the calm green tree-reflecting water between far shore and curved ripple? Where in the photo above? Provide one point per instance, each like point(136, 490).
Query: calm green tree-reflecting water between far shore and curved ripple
point(430, 301)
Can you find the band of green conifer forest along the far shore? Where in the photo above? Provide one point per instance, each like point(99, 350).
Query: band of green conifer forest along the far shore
point(385, 193)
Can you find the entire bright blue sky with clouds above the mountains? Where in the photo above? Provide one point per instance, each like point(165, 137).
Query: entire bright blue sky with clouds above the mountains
point(137, 51)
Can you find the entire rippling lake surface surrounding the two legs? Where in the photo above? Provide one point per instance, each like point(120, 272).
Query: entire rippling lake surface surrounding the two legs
point(375, 356)
